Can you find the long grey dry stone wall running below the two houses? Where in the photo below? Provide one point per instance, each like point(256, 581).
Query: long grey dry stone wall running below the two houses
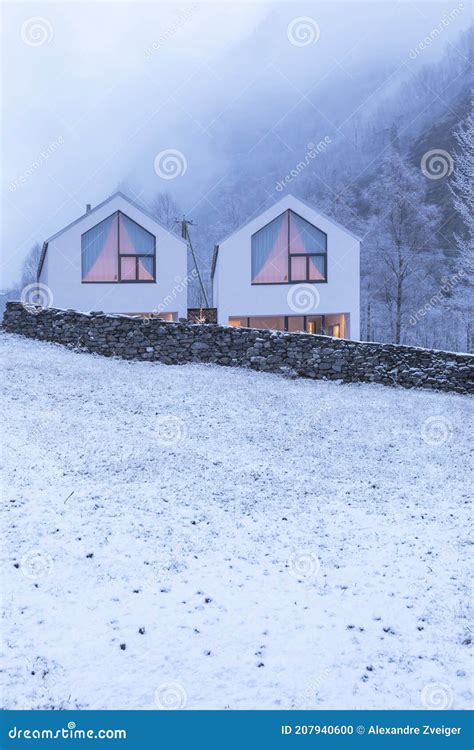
point(292, 354)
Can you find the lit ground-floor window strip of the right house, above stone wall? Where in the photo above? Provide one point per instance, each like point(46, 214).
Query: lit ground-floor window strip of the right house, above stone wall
point(336, 324)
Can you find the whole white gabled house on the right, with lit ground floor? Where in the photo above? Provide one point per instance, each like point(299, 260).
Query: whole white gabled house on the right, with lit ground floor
point(290, 269)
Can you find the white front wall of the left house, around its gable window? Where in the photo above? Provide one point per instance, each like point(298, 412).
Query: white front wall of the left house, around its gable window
point(62, 270)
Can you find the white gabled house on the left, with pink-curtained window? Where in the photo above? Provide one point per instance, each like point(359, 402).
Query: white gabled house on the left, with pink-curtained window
point(116, 258)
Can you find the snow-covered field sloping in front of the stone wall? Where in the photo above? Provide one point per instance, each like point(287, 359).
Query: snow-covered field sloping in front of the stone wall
point(204, 537)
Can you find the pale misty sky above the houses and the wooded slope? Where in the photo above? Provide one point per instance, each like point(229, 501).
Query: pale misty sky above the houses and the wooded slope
point(92, 92)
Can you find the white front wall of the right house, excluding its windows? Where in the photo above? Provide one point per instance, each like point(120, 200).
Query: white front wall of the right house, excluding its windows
point(235, 295)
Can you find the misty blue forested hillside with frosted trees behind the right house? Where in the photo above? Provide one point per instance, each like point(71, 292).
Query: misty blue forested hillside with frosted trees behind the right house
point(367, 171)
